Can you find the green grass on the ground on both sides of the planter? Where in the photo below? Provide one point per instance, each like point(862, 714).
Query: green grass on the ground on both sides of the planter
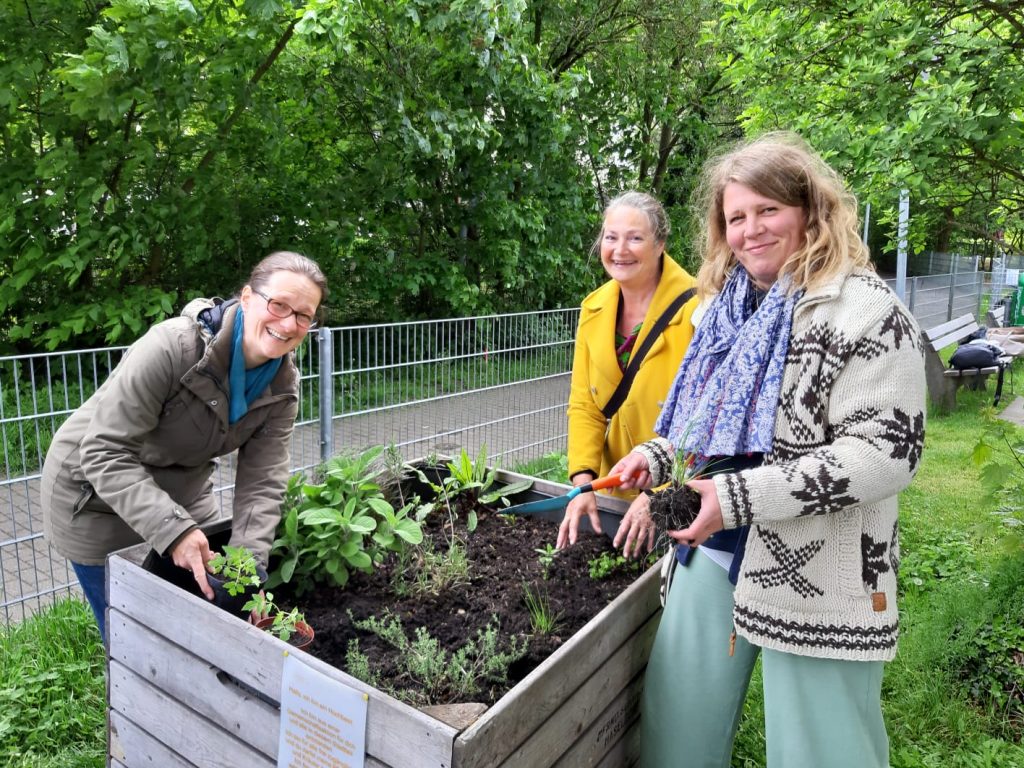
point(953, 697)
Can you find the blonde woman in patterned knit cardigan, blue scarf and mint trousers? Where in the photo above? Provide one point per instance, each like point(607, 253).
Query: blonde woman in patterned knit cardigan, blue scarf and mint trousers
point(803, 394)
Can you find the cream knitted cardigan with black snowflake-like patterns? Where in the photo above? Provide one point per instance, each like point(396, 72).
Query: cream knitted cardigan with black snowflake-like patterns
point(819, 577)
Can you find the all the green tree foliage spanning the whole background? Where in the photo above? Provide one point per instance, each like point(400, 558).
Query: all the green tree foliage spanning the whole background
point(452, 157)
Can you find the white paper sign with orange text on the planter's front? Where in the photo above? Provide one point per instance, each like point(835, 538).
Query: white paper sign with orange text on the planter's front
point(323, 722)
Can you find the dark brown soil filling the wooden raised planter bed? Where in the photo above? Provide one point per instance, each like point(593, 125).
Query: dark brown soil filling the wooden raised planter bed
point(502, 557)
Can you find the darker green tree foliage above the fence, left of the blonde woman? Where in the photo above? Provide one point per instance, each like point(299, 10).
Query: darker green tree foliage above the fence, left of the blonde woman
point(438, 158)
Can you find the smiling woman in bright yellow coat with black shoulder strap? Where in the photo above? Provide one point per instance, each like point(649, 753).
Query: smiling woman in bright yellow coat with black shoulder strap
point(615, 320)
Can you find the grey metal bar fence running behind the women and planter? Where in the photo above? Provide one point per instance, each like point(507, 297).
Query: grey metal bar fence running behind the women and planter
point(500, 382)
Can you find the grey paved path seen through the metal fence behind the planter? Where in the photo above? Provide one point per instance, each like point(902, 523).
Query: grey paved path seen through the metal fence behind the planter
point(516, 423)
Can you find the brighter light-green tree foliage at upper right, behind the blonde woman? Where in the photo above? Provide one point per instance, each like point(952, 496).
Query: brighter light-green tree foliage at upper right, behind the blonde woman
point(909, 95)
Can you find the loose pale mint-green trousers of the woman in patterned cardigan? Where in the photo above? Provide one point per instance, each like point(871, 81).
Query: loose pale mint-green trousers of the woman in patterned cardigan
point(820, 713)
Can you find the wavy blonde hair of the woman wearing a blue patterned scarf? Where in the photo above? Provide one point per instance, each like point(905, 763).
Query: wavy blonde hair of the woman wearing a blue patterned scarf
point(784, 167)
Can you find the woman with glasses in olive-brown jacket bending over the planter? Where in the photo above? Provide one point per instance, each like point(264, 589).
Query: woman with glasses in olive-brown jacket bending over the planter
point(136, 462)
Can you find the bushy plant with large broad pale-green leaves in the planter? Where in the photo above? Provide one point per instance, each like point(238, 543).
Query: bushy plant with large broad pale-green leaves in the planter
point(339, 526)
